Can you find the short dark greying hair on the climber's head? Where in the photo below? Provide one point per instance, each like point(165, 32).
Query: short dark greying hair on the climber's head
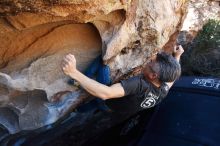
point(170, 69)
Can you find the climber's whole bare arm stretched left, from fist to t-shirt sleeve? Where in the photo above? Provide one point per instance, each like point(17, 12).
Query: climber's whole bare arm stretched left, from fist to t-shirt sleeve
point(93, 87)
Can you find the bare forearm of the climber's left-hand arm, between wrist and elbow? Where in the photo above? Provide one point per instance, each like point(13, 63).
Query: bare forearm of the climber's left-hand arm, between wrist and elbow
point(90, 85)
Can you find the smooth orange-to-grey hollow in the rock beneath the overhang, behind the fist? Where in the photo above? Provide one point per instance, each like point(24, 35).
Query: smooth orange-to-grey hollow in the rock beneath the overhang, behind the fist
point(32, 57)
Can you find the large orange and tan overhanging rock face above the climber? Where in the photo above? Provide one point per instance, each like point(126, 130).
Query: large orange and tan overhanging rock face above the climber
point(36, 35)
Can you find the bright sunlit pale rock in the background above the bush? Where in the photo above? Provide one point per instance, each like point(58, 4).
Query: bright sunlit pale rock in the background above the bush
point(199, 13)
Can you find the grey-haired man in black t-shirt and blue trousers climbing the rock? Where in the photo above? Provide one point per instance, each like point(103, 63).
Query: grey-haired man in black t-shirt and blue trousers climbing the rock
point(134, 94)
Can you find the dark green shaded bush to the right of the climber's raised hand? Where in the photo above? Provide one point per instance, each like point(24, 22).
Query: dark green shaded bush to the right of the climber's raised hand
point(203, 55)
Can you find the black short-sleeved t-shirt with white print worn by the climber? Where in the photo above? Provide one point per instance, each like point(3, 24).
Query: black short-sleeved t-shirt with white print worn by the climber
point(139, 94)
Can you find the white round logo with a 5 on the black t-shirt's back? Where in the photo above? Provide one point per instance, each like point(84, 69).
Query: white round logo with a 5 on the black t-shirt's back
point(149, 101)
